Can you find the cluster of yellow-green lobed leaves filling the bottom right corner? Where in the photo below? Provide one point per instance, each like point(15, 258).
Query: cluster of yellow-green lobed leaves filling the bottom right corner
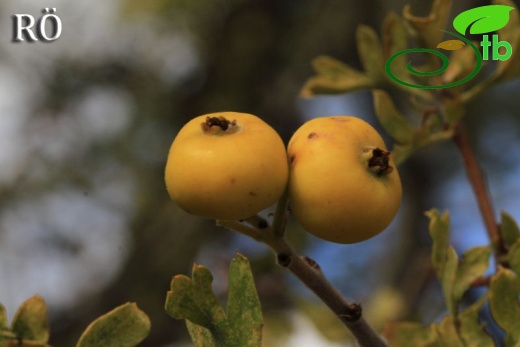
point(461, 326)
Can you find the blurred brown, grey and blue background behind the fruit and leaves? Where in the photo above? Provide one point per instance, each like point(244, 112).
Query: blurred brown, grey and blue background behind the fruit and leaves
point(86, 122)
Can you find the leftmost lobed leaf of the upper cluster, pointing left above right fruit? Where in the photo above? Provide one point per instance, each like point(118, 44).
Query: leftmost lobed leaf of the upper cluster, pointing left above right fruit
point(334, 77)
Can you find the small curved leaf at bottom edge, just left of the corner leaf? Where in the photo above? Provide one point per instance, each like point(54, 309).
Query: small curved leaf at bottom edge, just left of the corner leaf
point(471, 330)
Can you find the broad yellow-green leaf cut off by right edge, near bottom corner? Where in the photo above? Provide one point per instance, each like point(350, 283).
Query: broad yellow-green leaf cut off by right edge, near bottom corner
point(503, 301)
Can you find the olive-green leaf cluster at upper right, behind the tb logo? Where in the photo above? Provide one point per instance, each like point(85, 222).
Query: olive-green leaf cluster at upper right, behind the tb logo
point(439, 111)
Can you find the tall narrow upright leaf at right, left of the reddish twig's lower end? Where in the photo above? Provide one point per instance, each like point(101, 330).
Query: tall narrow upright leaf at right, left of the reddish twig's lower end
point(444, 257)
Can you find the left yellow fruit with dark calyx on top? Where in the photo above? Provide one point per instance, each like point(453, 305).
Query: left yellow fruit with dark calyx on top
point(226, 165)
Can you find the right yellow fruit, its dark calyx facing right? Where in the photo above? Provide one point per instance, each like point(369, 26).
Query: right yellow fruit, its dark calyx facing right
point(343, 184)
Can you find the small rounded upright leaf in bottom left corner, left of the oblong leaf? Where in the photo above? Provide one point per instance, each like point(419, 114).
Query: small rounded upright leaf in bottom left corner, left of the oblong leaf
point(30, 321)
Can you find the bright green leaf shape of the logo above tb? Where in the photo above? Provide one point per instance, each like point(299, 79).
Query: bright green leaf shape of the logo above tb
point(483, 19)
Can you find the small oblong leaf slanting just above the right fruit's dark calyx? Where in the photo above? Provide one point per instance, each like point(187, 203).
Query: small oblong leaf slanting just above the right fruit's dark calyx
point(391, 119)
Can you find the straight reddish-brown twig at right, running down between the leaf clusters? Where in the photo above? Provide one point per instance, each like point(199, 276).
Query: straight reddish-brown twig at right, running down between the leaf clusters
point(478, 183)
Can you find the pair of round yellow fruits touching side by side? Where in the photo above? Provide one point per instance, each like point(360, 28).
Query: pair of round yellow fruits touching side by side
point(343, 186)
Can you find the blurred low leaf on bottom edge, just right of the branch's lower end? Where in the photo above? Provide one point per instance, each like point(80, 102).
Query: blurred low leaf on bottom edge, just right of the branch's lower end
point(407, 334)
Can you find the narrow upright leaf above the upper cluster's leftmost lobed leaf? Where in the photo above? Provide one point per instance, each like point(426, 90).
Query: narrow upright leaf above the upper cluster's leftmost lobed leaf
point(370, 53)
